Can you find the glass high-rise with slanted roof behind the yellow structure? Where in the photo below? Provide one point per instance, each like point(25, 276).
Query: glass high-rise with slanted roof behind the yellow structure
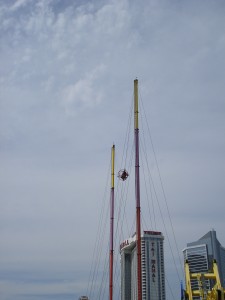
point(200, 255)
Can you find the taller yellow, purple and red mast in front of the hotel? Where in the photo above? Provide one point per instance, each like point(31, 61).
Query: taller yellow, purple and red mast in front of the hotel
point(137, 191)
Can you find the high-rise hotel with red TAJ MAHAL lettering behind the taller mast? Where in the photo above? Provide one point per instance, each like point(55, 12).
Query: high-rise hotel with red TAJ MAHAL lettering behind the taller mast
point(153, 274)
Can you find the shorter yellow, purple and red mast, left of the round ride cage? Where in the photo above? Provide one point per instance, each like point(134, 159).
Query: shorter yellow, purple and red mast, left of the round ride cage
point(111, 225)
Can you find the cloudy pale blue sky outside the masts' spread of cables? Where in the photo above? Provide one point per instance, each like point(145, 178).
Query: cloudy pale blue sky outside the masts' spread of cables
point(66, 80)
